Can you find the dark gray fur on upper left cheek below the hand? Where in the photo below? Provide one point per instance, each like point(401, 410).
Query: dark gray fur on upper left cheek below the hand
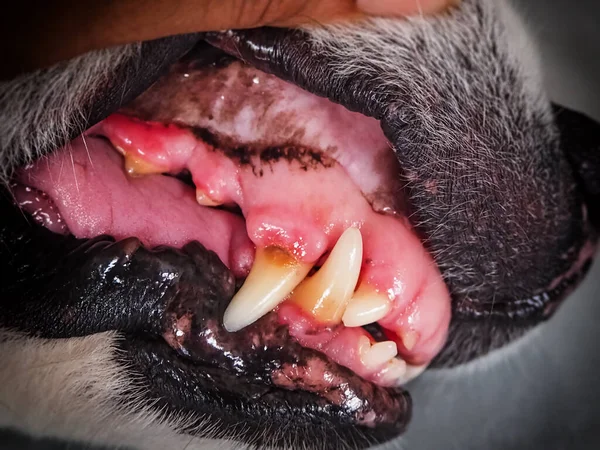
point(45, 107)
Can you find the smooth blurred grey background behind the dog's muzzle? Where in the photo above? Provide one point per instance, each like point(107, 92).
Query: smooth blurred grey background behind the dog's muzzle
point(542, 392)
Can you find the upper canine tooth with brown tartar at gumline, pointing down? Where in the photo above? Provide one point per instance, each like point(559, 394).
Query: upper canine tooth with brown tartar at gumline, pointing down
point(274, 274)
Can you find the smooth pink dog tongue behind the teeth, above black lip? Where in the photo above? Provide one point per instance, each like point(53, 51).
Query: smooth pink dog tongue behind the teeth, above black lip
point(95, 196)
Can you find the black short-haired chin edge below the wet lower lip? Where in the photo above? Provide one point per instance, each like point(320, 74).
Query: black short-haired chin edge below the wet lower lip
point(258, 413)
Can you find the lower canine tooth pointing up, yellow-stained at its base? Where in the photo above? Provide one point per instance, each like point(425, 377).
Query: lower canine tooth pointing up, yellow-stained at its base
point(326, 294)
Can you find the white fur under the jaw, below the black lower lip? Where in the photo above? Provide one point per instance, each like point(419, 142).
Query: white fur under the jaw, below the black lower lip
point(72, 389)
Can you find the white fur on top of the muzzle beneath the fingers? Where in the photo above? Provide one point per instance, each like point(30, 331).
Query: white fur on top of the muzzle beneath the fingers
point(392, 44)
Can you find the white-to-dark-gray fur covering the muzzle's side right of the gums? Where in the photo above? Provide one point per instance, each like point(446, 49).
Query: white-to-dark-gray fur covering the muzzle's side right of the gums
point(479, 129)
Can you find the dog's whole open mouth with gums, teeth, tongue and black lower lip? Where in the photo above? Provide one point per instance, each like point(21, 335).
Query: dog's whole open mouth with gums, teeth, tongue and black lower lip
point(253, 243)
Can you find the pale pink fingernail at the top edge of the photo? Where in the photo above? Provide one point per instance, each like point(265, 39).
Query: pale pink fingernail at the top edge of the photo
point(404, 7)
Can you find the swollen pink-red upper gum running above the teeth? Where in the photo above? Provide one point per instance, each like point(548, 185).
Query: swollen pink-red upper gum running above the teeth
point(305, 213)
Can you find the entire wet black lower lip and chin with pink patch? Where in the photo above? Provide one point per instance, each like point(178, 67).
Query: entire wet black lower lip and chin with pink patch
point(253, 382)
